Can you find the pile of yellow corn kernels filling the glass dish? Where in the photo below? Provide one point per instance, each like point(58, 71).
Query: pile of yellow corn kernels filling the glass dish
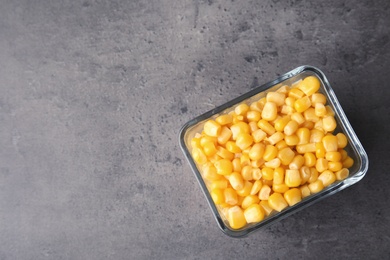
point(272, 153)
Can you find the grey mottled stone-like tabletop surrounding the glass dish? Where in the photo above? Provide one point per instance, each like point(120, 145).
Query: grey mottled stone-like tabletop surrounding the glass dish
point(93, 94)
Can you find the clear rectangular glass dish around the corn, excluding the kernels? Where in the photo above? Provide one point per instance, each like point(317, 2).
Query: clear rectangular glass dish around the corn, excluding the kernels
point(354, 148)
